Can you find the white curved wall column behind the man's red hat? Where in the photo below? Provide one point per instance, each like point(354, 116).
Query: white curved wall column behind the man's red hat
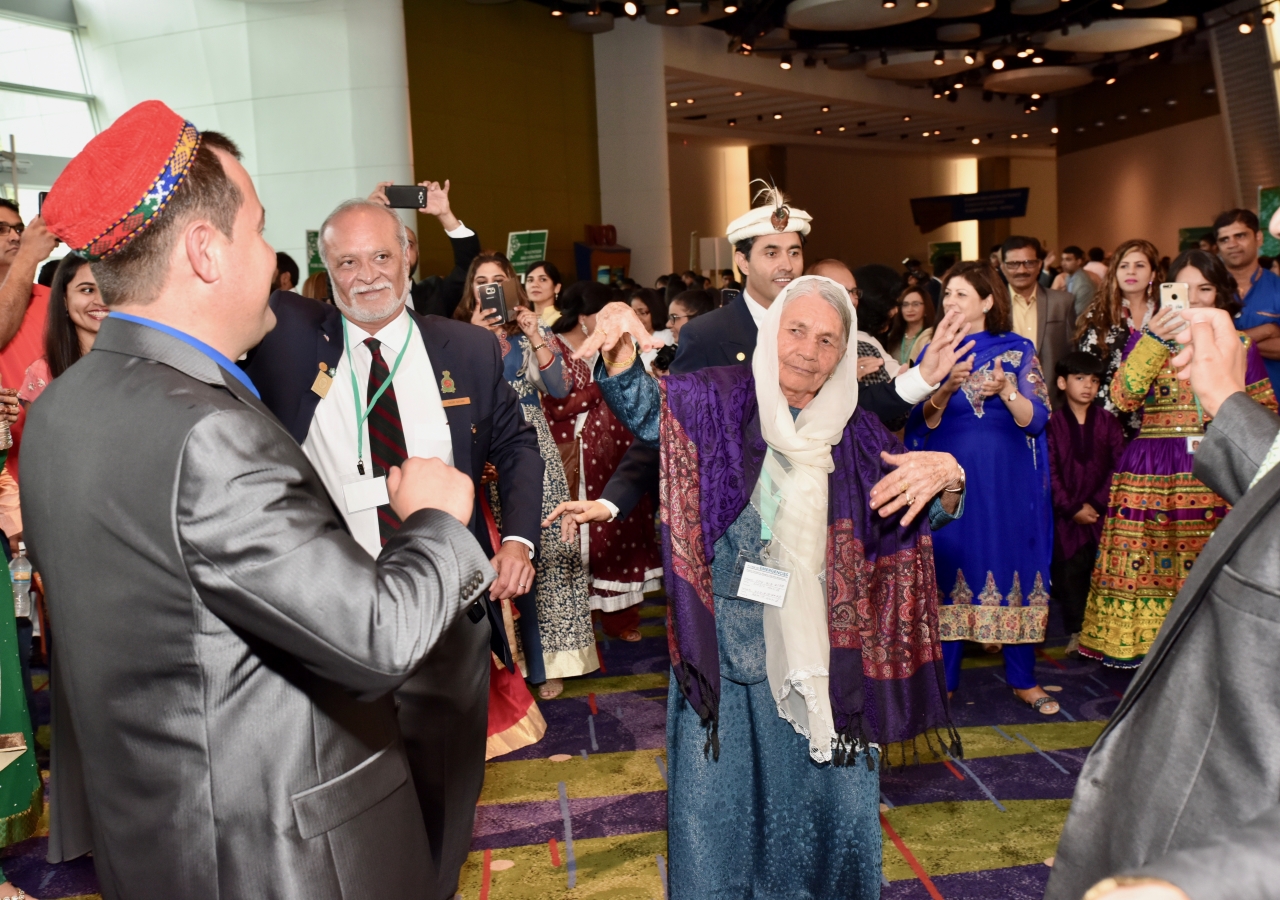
point(316, 94)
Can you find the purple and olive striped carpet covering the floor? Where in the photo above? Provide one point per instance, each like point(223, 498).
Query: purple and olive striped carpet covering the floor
point(583, 814)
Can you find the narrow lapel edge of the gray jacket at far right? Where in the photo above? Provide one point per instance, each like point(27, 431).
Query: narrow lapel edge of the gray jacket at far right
point(1220, 549)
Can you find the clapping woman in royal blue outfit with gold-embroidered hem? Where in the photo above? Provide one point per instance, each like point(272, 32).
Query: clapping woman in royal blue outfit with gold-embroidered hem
point(991, 414)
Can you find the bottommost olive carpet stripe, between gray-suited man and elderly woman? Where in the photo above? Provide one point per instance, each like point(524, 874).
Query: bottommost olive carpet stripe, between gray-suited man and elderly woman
point(609, 869)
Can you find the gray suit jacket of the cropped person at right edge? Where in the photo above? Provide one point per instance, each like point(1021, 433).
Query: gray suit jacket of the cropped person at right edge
point(1185, 783)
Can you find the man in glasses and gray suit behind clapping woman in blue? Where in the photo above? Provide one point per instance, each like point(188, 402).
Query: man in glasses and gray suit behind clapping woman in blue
point(1044, 317)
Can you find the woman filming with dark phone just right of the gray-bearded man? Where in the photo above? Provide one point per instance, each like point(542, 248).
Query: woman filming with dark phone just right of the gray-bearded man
point(556, 622)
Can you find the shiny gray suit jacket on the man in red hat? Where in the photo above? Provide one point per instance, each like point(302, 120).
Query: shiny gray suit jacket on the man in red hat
point(226, 650)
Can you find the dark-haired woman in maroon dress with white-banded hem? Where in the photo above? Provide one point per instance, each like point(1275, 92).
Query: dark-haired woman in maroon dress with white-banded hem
point(623, 556)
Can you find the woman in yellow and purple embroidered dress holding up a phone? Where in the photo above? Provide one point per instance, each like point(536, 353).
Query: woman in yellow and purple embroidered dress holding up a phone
point(1159, 517)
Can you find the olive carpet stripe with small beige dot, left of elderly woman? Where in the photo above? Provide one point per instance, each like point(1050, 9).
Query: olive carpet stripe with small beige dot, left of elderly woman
point(600, 775)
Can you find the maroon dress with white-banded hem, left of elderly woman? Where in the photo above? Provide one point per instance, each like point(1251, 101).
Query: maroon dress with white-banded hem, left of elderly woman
point(624, 560)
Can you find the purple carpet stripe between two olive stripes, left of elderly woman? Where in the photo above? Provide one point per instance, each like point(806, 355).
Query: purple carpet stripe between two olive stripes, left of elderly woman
point(537, 823)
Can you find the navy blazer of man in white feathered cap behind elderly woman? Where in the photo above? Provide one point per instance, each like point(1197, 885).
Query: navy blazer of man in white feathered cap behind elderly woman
point(724, 337)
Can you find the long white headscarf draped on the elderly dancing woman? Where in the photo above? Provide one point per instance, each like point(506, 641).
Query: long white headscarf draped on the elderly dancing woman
point(797, 636)
